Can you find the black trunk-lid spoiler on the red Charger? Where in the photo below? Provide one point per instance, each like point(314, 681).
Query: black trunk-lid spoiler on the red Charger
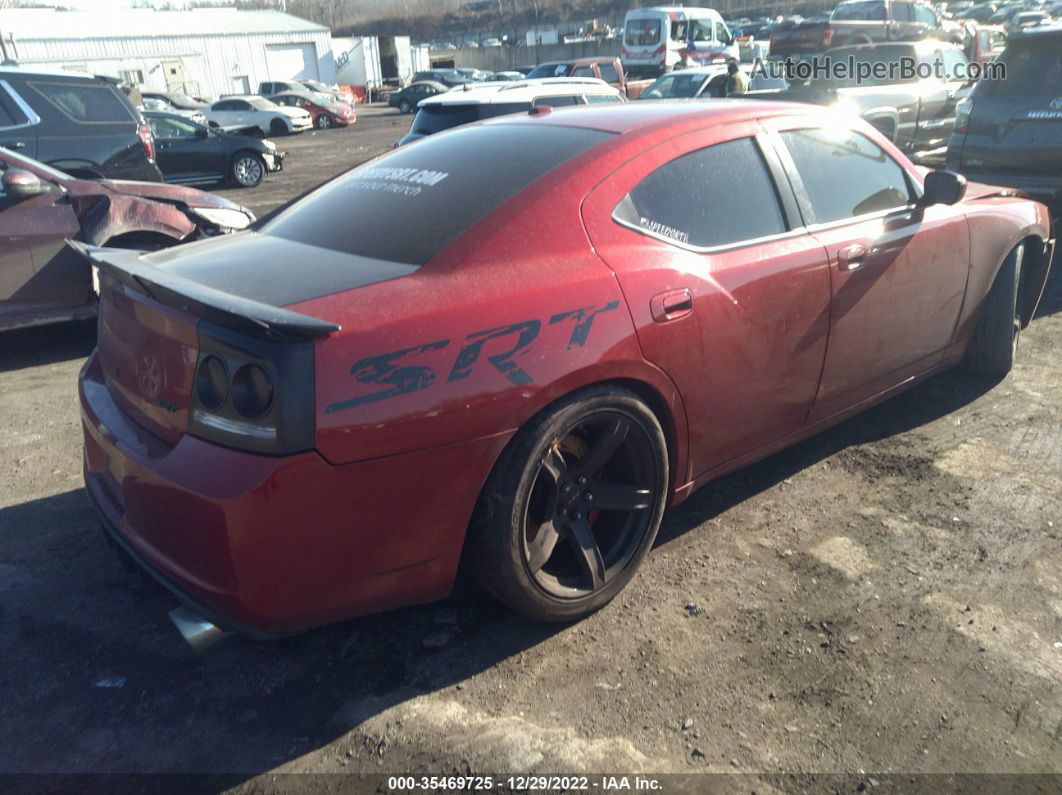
point(210, 304)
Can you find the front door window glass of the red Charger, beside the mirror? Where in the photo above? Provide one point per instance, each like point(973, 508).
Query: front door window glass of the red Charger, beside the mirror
point(846, 174)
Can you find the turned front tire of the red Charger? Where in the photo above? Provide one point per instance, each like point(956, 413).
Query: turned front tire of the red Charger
point(995, 345)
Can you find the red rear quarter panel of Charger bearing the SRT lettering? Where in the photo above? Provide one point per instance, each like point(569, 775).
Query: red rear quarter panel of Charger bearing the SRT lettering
point(512, 317)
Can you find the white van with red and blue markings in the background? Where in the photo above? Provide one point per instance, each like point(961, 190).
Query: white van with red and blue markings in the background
point(656, 40)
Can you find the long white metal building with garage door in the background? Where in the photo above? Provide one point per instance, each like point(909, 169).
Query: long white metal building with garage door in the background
point(203, 53)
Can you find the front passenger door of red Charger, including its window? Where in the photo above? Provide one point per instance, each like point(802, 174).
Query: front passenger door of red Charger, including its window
point(899, 271)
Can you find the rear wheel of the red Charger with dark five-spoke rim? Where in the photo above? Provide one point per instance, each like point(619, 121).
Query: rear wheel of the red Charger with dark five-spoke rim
point(573, 507)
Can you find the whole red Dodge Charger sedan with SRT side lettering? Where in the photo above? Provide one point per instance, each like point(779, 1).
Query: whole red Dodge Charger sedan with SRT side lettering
point(323, 417)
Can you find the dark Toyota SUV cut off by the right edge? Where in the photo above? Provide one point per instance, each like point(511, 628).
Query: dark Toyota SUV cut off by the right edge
point(1009, 132)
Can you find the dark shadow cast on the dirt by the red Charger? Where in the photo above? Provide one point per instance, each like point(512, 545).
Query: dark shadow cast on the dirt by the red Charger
point(77, 624)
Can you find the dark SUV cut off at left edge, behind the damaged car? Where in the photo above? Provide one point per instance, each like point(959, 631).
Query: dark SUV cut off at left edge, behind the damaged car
point(81, 125)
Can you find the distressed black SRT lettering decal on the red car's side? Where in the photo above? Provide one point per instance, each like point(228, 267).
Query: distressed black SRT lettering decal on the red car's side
point(388, 370)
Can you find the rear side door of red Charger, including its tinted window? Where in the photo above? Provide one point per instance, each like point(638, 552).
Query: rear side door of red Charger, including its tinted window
point(729, 295)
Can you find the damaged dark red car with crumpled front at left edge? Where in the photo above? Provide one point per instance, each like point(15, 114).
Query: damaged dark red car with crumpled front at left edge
point(42, 281)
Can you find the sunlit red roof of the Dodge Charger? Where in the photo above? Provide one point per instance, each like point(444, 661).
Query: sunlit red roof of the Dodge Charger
point(644, 118)
